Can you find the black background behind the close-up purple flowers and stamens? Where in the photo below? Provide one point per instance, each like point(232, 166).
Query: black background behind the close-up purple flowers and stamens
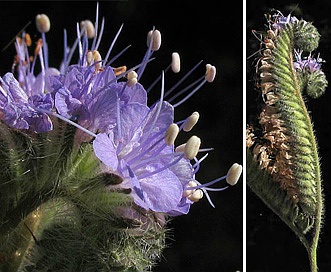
point(206, 239)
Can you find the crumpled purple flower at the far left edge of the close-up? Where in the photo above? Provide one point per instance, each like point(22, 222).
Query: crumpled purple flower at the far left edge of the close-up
point(20, 111)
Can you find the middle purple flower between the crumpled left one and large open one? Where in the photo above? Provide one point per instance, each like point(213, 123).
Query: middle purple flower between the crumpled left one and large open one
point(90, 96)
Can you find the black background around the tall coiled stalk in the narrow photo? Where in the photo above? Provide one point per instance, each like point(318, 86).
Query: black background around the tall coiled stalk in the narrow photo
point(271, 245)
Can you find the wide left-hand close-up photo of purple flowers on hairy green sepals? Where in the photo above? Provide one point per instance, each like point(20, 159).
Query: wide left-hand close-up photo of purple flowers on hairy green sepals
point(121, 137)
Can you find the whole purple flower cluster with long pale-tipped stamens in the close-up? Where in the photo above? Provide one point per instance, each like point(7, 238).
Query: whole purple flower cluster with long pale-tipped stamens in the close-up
point(132, 139)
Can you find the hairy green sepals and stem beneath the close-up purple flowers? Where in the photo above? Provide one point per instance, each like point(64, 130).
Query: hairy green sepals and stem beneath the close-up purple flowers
point(58, 212)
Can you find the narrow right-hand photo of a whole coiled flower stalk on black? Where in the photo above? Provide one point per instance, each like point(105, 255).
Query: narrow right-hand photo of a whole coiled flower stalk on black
point(288, 149)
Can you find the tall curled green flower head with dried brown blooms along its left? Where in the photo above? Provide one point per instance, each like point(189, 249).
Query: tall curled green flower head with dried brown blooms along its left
point(284, 145)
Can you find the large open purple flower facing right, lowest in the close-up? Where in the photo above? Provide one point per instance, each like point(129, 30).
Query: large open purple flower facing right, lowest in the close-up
point(138, 153)
